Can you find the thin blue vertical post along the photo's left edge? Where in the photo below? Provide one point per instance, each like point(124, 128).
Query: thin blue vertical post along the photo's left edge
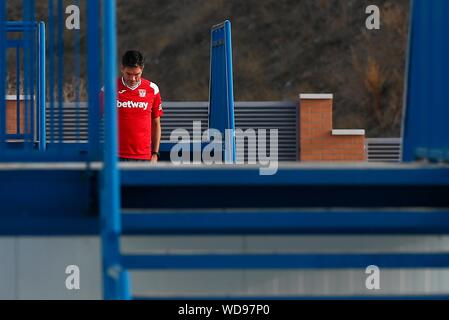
point(2, 75)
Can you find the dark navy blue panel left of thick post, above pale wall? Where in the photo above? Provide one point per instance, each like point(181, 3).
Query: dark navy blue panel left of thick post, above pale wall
point(46, 201)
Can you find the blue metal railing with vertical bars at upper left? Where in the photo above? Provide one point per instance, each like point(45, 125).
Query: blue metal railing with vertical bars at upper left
point(41, 115)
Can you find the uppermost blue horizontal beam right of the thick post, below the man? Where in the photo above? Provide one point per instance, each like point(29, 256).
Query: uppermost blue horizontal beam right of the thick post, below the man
point(396, 175)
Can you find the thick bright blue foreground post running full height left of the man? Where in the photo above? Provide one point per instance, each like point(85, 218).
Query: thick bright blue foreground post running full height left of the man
point(115, 284)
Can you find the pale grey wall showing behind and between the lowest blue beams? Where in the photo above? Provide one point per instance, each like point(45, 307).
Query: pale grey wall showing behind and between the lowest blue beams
point(34, 268)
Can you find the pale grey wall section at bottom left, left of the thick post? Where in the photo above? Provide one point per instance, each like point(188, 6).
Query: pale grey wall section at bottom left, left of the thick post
point(34, 268)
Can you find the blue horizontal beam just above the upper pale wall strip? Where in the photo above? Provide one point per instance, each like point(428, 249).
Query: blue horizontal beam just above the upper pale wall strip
point(287, 222)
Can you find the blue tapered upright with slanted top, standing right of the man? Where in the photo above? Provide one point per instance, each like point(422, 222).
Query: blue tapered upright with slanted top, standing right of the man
point(221, 88)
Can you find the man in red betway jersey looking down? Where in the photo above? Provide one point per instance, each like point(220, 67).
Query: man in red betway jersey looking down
point(139, 108)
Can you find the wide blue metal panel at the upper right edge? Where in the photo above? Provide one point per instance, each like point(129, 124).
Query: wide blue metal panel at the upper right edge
point(425, 130)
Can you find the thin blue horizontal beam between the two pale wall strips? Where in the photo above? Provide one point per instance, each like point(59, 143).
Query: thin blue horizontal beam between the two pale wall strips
point(284, 261)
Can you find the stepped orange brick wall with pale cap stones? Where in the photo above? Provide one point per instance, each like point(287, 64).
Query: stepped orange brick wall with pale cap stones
point(318, 140)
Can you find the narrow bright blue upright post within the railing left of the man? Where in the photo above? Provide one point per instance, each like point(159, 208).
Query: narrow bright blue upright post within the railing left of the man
point(42, 89)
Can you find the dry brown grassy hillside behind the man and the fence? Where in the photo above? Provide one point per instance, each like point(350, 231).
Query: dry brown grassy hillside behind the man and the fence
point(281, 48)
